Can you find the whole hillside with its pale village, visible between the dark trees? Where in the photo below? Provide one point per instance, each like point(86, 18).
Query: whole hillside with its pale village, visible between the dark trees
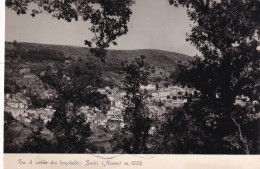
point(26, 93)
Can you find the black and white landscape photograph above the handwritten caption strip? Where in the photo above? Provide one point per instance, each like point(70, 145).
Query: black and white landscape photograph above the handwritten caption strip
point(132, 77)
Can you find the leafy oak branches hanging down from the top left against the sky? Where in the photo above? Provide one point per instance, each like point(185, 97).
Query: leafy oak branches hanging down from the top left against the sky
point(108, 18)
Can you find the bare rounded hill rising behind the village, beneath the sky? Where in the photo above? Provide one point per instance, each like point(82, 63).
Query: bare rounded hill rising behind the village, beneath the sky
point(21, 57)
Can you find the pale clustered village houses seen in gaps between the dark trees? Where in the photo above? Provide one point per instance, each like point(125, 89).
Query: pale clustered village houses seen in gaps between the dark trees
point(173, 96)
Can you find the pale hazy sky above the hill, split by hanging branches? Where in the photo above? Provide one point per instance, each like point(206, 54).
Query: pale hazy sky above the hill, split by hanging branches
point(154, 24)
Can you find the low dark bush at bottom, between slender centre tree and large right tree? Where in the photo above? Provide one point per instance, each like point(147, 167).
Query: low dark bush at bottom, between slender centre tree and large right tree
point(178, 134)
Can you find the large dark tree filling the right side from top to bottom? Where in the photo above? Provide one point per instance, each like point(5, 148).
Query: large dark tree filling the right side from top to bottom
point(225, 32)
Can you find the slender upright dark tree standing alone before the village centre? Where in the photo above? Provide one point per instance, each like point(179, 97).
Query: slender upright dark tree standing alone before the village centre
point(133, 136)
